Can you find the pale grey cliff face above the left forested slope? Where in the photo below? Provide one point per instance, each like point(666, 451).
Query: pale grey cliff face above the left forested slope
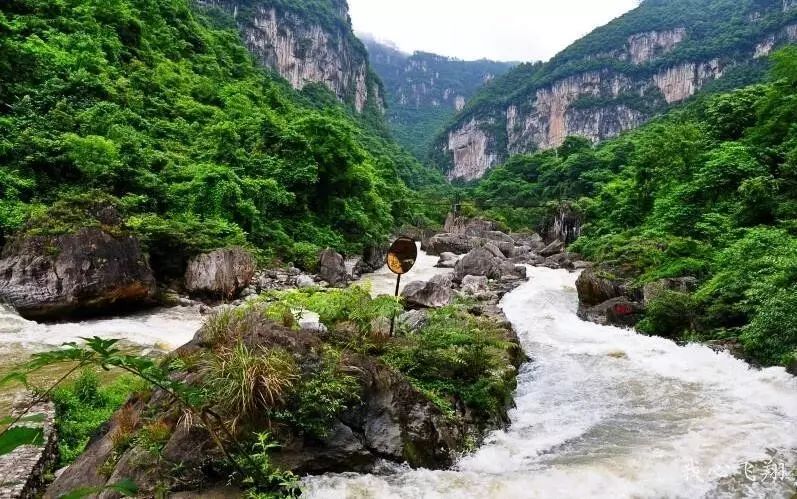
point(303, 50)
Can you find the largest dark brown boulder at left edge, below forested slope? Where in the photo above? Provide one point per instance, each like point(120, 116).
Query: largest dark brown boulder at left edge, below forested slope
point(86, 272)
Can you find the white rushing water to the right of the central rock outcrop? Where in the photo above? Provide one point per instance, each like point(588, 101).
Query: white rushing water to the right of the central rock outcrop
point(605, 412)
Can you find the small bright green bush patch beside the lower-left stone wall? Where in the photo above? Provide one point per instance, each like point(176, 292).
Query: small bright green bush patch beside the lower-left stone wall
point(83, 406)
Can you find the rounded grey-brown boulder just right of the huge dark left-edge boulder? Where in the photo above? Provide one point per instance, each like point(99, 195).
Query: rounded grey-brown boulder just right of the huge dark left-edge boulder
point(220, 274)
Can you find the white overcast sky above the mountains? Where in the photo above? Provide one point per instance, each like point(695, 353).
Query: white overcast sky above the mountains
point(508, 30)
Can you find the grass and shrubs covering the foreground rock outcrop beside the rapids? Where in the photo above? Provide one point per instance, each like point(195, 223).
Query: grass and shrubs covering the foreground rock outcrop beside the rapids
point(254, 384)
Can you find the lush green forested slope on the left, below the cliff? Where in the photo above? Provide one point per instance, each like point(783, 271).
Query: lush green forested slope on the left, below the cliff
point(157, 107)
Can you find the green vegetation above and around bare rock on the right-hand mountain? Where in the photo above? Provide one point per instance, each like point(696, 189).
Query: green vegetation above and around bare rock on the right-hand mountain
point(727, 31)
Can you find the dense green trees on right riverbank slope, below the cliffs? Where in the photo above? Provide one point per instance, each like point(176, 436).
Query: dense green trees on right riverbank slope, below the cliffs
point(709, 191)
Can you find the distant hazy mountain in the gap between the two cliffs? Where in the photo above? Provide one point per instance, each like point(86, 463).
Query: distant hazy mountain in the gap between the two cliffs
point(424, 91)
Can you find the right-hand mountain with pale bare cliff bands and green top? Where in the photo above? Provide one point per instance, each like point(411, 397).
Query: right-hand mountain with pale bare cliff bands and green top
point(616, 78)
